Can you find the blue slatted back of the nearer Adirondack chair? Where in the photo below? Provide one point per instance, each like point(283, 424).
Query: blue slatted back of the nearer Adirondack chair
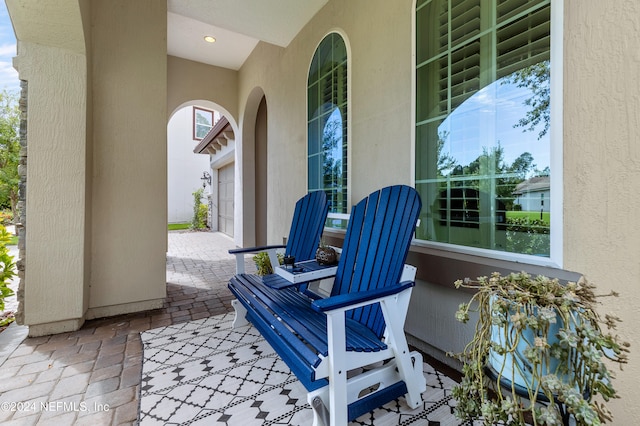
point(376, 246)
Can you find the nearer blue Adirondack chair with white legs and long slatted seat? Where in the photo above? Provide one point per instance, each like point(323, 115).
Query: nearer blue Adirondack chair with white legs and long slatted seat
point(360, 326)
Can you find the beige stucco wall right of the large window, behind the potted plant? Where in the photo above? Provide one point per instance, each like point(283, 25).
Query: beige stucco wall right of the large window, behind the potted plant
point(602, 166)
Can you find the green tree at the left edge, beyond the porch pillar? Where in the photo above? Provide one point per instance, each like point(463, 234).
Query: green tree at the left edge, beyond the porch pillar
point(9, 150)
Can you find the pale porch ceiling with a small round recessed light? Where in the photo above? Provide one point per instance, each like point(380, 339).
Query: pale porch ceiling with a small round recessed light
point(238, 26)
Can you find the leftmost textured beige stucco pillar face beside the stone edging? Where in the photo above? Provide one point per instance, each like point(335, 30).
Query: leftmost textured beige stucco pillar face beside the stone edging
point(55, 205)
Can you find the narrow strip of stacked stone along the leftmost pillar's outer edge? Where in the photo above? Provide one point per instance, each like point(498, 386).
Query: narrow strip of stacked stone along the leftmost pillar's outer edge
point(20, 221)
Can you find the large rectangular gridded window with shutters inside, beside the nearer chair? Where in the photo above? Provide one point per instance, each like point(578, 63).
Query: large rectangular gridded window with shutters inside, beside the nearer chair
point(483, 92)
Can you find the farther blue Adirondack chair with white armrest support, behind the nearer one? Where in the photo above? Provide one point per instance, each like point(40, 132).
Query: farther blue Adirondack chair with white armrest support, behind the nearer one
point(308, 221)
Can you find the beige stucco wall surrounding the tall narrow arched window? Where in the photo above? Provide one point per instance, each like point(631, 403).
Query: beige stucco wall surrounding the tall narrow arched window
point(380, 124)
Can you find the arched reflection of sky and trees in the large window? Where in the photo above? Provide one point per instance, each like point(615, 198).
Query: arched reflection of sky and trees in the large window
point(492, 188)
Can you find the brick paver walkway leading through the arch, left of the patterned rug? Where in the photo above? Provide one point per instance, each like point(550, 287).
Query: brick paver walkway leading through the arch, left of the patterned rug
point(92, 376)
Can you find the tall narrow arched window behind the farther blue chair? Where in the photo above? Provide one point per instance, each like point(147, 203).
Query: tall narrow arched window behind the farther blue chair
point(327, 124)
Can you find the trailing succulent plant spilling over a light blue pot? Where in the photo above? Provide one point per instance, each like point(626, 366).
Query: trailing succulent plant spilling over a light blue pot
point(536, 340)
